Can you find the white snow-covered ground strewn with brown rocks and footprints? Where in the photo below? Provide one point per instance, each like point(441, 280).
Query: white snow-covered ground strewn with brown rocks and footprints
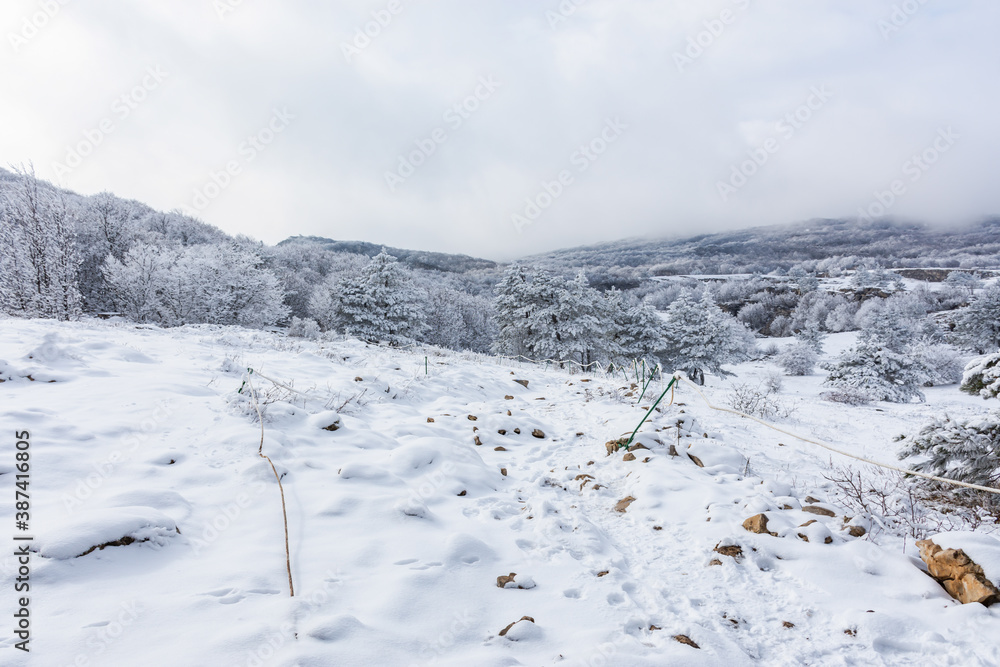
point(400, 526)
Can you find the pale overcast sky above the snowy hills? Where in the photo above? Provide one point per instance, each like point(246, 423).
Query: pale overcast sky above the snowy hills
point(501, 128)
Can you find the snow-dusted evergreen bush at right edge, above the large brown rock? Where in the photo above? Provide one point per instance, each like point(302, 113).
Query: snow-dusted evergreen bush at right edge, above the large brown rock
point(964, 451)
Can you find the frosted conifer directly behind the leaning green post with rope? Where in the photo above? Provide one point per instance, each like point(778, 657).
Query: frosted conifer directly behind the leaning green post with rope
point(700, 337)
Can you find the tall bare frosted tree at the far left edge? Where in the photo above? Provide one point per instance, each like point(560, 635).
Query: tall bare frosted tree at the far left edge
point(38, 258)
